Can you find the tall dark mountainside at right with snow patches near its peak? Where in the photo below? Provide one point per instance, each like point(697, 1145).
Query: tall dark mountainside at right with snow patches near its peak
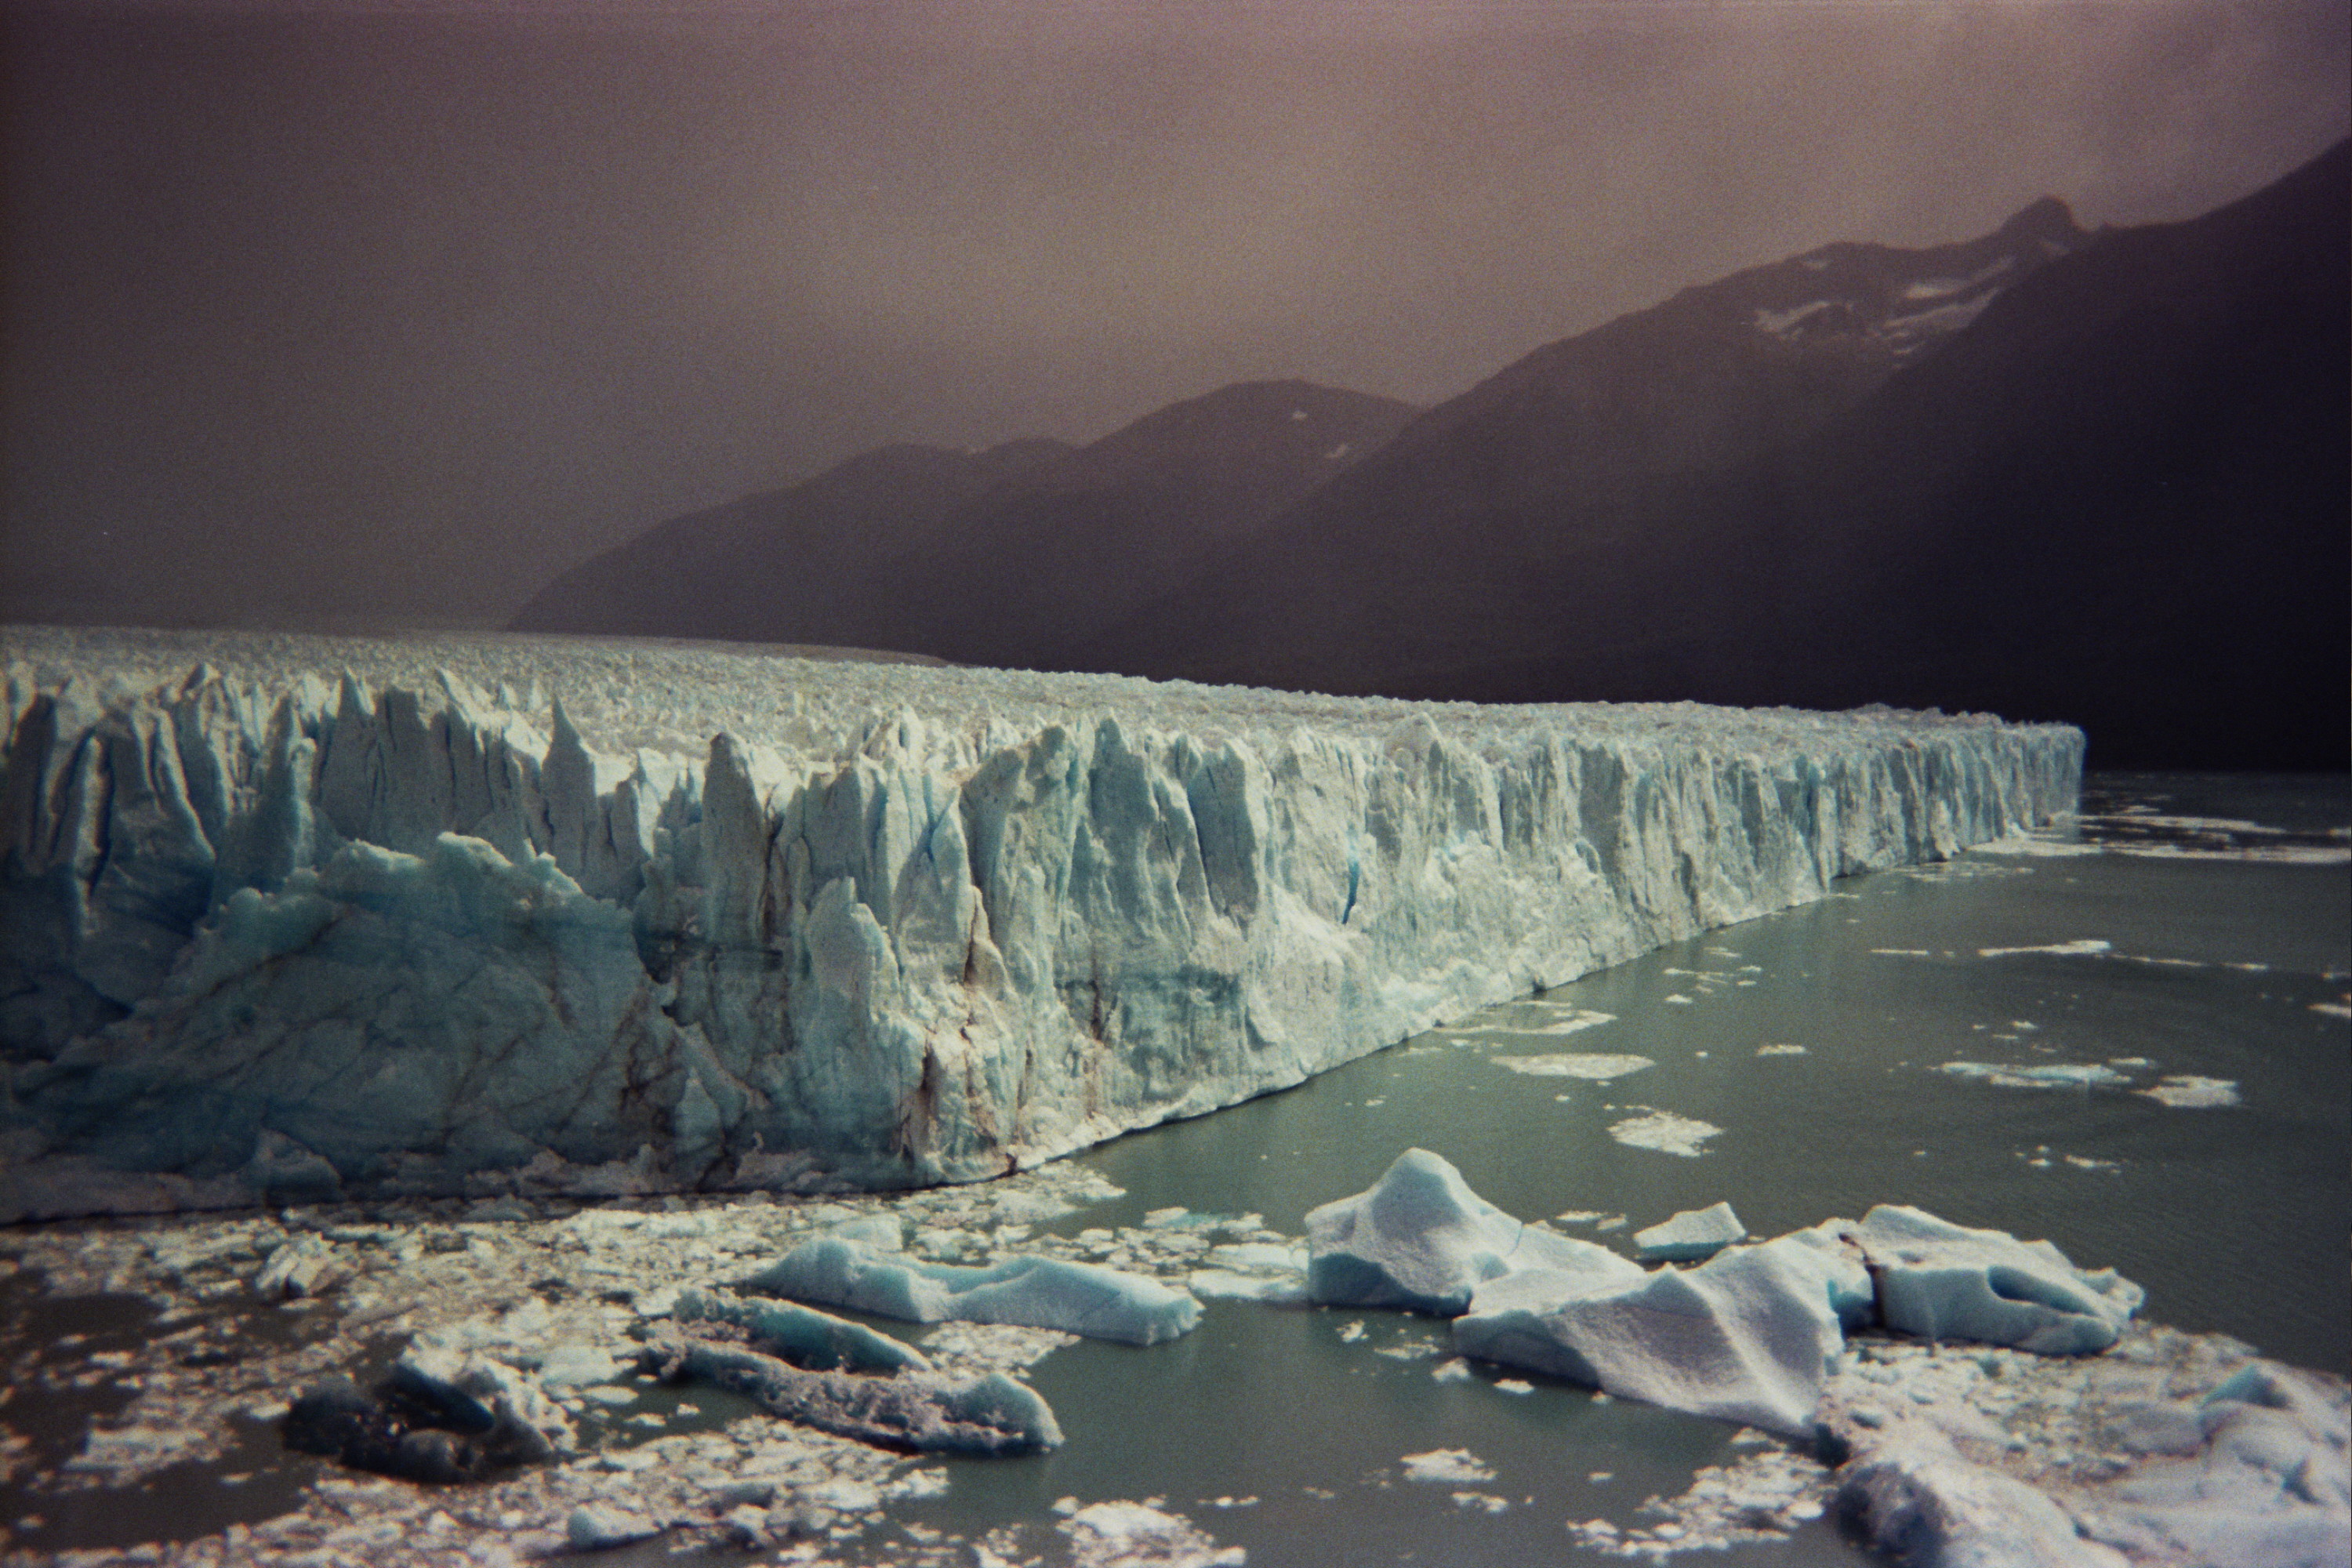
point(2113, 492)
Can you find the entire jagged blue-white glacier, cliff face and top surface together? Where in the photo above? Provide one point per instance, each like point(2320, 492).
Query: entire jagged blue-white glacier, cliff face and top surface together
point(309, 916)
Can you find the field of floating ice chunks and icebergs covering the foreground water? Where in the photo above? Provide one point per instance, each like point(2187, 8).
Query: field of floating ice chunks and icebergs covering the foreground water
point(1960, 1395)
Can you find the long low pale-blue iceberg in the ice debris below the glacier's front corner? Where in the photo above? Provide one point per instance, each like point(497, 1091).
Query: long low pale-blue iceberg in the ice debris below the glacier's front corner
point(1078, 1299)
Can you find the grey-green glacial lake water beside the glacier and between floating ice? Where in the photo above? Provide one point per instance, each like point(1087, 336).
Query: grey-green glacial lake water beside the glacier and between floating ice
point(2134, 1043)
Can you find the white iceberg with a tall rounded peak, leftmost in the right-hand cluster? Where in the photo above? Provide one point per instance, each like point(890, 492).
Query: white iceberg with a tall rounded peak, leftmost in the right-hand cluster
point(1424, 1242)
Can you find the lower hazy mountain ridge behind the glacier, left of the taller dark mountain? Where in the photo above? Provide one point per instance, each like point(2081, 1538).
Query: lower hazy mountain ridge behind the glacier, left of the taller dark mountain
point(1001, 558)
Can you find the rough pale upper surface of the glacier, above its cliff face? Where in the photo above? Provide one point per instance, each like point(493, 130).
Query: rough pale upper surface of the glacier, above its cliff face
point(676, 697)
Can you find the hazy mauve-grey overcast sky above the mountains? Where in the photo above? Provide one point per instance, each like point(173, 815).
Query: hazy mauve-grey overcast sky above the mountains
point(385, 314)
